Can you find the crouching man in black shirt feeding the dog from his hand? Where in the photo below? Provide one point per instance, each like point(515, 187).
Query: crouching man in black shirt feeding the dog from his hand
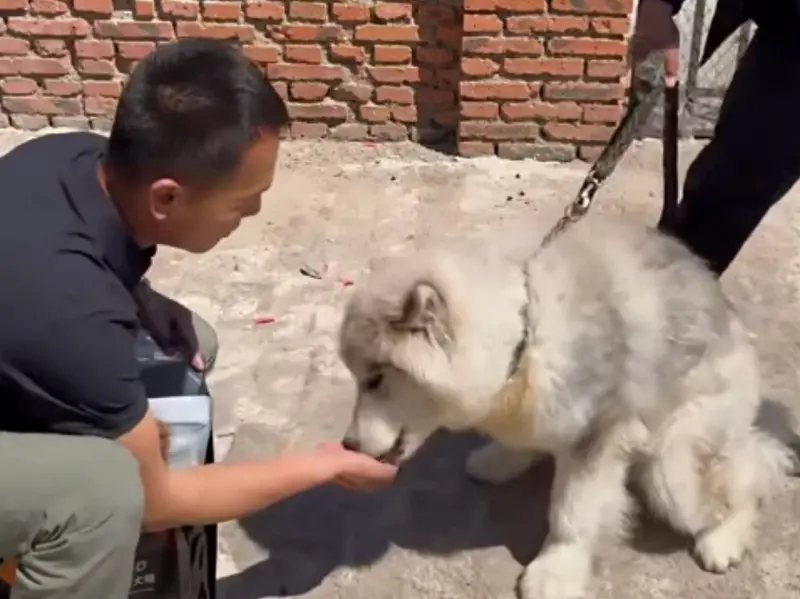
point(192, 149)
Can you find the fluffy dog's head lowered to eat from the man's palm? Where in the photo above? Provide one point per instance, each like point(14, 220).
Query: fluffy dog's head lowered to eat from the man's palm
point(428, 341)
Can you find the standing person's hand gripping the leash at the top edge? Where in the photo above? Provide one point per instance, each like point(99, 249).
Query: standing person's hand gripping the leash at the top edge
point(656, 31)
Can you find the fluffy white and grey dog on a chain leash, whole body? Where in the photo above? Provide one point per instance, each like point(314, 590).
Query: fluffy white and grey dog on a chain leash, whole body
point(635, 363)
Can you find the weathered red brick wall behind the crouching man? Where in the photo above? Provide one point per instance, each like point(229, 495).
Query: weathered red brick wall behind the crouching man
point(539, 78)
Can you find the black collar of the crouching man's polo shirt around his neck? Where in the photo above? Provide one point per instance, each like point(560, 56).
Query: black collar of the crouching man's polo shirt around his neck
point(122, 254)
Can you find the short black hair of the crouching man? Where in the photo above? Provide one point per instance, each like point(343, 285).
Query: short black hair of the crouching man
point(189, 111)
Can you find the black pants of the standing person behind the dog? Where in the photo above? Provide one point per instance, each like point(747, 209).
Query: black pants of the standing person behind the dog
point(753, 159)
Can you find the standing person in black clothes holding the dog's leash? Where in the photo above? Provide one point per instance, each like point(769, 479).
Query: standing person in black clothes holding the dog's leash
point(753, 159)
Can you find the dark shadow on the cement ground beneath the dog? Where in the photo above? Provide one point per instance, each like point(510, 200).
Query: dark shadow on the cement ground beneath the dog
point(432, 509)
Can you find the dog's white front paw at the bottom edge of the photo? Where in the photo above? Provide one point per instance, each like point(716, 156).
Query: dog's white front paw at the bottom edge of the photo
point(561, 572)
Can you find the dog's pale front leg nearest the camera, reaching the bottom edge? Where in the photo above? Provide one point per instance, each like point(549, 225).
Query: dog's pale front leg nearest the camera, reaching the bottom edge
point(588, 499)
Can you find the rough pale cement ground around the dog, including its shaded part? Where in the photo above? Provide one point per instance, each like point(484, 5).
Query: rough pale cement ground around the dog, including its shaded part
point(435, 535)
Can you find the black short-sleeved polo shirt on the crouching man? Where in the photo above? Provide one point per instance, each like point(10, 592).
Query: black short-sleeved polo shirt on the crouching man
point(68, 321)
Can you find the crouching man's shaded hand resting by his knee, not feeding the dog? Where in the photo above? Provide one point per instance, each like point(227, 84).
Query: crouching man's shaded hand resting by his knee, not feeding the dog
point(170, 324)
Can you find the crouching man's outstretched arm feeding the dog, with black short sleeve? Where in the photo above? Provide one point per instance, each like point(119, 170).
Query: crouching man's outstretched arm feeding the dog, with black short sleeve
point(80, 355)
